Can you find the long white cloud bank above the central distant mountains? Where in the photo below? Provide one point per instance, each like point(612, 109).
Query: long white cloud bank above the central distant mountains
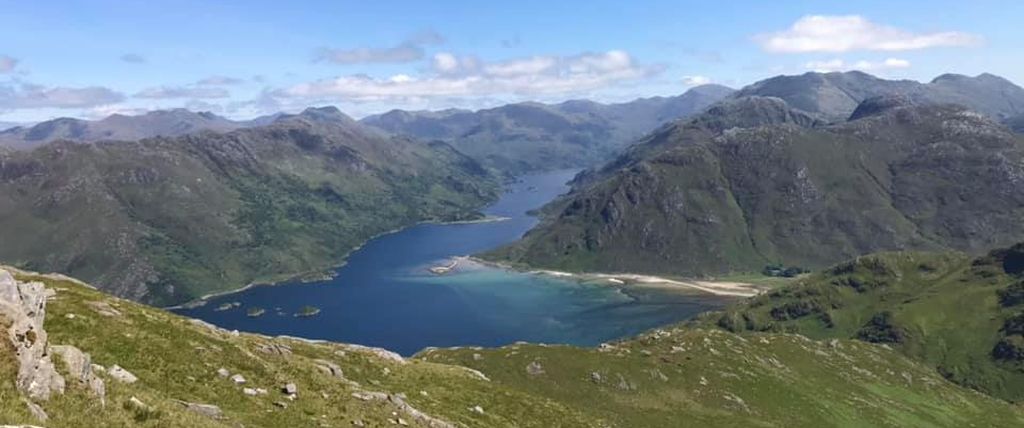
point(462, 77)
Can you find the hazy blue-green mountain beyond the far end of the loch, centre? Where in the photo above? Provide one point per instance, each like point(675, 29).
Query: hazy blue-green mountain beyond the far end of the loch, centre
point(533, 137)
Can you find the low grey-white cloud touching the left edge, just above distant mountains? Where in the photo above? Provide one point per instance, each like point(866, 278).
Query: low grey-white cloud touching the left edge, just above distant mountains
point(36, 97)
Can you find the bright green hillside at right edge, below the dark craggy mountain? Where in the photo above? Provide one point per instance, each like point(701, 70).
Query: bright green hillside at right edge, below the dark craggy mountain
point(961, 315)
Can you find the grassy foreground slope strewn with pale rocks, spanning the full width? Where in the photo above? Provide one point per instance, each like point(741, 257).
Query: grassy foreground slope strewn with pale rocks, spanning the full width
point(121, 364)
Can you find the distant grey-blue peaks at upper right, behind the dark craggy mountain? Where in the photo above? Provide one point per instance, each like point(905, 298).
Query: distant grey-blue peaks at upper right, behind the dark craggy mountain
point(834, 97)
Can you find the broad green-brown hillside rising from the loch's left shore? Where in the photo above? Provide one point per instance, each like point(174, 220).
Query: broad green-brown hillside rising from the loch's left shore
point(165, 221)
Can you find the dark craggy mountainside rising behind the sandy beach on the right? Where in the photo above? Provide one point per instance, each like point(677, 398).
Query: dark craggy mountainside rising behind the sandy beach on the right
point(752, 183)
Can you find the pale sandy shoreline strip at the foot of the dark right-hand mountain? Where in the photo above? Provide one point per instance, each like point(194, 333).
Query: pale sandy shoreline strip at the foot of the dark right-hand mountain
point(724, 289)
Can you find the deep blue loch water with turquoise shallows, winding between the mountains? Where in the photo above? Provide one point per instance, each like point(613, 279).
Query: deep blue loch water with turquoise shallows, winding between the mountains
point(386, 297)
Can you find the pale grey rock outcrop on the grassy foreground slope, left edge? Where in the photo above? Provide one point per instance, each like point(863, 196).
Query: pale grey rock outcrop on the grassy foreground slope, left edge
point(24, 306)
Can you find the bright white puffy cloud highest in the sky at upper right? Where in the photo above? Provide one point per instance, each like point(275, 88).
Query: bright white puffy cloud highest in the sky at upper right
point(849, 33)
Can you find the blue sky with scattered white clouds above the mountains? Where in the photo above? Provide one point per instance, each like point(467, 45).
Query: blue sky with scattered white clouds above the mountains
point(246, 59)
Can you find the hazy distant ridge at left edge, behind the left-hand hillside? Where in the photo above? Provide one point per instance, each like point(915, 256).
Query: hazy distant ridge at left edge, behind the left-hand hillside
point(117, 127)
